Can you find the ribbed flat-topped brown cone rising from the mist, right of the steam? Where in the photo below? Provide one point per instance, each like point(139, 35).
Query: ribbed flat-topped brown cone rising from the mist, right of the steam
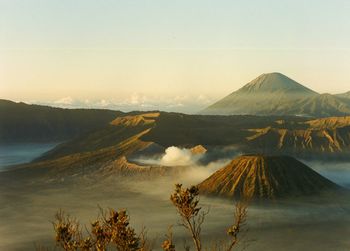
point(268, 177)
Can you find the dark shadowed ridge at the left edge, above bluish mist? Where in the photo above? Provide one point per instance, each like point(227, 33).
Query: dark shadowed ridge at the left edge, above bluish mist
point(22, 122)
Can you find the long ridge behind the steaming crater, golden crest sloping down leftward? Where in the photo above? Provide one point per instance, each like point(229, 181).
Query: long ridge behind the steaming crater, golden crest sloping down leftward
point(141, 133)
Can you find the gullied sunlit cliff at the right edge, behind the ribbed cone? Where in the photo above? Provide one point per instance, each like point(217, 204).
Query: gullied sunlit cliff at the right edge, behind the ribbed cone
point(319, 137)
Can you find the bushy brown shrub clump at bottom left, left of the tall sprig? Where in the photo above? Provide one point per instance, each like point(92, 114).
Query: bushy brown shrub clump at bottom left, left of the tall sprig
point(111, 230)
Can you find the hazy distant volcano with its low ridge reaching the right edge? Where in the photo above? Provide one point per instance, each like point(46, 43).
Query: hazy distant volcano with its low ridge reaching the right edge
point(276, 94)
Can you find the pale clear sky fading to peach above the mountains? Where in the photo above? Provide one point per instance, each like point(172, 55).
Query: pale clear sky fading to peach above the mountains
point(178, 55)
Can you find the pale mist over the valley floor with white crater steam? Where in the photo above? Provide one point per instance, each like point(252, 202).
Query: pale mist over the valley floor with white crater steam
point(28, 209)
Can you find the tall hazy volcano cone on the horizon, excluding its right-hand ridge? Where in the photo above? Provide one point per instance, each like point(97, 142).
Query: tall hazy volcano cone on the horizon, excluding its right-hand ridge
point(262, 96)
